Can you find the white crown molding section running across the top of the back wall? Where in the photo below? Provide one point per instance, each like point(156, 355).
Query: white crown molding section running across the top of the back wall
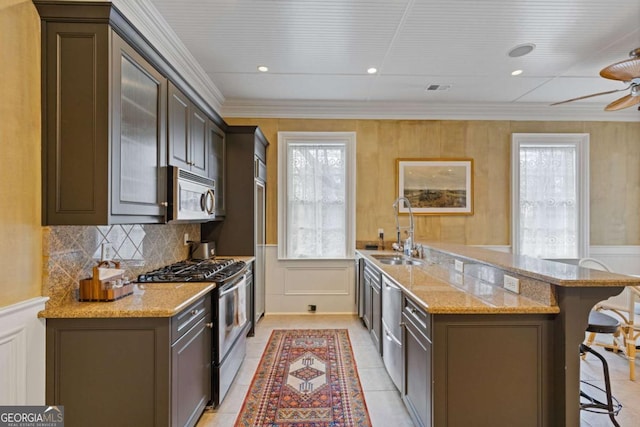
point(422, 111)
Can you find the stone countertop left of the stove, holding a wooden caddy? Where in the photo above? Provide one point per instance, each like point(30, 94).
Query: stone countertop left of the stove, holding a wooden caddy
point(148, 300)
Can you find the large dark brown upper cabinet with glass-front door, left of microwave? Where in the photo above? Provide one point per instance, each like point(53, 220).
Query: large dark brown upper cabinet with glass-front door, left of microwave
point(104, 126)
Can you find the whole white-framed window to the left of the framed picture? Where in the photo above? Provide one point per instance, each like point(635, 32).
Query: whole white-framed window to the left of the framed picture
point(316, 195)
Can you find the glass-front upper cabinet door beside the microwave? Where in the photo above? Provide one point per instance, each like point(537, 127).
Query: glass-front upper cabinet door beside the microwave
point(139, 136)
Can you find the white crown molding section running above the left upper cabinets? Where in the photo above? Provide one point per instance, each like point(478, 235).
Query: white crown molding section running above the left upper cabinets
point(152, 25)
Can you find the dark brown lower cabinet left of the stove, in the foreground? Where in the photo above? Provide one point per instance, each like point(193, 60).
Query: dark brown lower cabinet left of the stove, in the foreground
point(131, 371)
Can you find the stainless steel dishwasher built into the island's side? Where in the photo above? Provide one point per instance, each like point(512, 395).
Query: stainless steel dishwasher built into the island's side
point(392, 330)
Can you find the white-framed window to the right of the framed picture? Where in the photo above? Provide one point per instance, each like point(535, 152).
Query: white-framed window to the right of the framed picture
point(550, 195)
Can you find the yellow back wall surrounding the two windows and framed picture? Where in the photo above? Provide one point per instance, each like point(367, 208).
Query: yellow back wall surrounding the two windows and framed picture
point(614, 164)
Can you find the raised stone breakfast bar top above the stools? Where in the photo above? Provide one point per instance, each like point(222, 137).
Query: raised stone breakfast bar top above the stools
point(556, 273)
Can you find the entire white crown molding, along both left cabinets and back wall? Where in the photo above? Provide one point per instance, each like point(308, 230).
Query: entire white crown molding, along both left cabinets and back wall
point(151, 24)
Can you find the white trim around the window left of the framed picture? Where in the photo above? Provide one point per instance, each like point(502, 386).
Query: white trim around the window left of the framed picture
point(347, 138)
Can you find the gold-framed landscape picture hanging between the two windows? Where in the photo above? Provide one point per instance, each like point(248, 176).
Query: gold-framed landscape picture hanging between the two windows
point(436, 186)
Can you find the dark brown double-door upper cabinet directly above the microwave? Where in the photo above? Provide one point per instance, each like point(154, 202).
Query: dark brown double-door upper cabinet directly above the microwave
point(188, 147)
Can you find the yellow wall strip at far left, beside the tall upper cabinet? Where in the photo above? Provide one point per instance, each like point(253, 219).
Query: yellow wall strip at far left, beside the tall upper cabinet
point(20, 231)
